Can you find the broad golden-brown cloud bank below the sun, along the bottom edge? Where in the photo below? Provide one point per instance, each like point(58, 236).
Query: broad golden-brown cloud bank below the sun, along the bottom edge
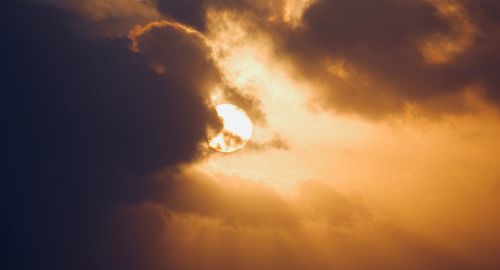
point(227, 227)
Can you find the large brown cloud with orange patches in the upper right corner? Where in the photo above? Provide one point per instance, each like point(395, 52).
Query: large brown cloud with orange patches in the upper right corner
point(377, 57)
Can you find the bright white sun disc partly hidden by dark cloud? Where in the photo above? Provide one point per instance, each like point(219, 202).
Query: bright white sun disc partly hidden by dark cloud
point(236, 130)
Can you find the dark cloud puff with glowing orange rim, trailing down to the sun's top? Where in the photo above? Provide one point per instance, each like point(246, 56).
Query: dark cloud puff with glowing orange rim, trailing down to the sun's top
point(177, 50)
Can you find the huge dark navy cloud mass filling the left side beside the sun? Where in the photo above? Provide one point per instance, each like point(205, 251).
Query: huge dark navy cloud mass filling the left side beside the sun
point(87, 122)
